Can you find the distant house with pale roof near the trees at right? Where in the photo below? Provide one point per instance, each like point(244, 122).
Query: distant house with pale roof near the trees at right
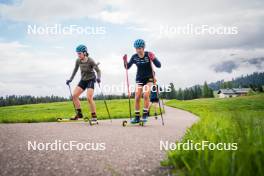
point(234, 92)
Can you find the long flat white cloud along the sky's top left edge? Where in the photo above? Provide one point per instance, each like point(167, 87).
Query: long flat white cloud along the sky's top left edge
point(45, 12)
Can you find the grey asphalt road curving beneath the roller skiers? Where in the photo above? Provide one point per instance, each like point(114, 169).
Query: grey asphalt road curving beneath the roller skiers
point(111, 148)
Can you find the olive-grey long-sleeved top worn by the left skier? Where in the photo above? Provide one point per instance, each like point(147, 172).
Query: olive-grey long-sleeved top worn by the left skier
point(87, 66)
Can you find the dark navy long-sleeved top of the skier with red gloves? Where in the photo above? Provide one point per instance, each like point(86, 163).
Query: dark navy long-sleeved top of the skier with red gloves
point(143, 65)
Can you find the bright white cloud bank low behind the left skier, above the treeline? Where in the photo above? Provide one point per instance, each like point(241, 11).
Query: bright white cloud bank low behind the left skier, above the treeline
point(27, 71)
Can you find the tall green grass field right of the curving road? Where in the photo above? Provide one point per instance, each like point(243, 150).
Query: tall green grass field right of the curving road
point(235, 120)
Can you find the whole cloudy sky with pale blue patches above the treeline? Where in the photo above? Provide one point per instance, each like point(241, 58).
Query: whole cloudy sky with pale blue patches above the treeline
point(38, 64)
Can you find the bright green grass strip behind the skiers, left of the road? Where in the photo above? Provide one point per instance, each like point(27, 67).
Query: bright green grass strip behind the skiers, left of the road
point(49, 112)
